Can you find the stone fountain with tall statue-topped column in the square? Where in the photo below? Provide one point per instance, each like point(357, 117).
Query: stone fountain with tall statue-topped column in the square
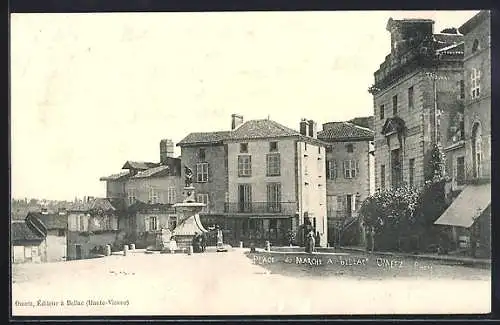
point(188, 215)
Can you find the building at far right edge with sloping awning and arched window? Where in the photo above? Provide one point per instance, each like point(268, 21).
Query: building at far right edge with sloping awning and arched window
point(470, 212)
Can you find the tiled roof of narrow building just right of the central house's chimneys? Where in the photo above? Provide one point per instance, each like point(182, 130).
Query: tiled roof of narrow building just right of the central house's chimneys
point(342, 131)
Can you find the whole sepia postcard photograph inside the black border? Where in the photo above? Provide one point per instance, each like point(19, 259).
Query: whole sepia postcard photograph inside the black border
point(250, 163)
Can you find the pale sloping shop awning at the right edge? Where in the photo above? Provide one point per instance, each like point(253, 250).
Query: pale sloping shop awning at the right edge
point(469, 204)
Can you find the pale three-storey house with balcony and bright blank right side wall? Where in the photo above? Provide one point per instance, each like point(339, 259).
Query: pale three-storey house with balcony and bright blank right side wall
point(276, 181)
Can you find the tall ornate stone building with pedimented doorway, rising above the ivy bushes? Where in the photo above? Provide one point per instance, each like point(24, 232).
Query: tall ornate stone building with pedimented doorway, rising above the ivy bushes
point(415, 93)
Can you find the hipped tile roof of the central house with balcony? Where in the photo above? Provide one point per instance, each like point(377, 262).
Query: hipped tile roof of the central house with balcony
point(258, 129)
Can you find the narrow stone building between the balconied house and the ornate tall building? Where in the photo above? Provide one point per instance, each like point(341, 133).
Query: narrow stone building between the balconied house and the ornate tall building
point(350, 179)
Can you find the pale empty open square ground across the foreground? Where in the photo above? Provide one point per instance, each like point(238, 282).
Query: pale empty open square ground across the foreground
point(229, 283)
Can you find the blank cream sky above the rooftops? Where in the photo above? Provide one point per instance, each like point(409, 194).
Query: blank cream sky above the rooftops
point(90, 91)
